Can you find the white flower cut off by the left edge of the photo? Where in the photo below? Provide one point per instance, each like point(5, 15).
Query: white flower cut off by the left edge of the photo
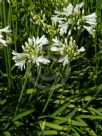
point(7, 31)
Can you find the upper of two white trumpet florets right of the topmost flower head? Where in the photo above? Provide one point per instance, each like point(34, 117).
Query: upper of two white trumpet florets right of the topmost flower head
point(90, 19)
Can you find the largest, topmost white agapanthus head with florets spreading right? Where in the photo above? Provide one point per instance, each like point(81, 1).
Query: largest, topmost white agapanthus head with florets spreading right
point(73, 18)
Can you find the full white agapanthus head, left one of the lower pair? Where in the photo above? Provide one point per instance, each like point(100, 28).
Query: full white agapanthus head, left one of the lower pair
point(32, 52)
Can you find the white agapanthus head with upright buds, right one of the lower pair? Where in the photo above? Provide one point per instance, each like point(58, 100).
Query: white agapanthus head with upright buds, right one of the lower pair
point(66, 50)
